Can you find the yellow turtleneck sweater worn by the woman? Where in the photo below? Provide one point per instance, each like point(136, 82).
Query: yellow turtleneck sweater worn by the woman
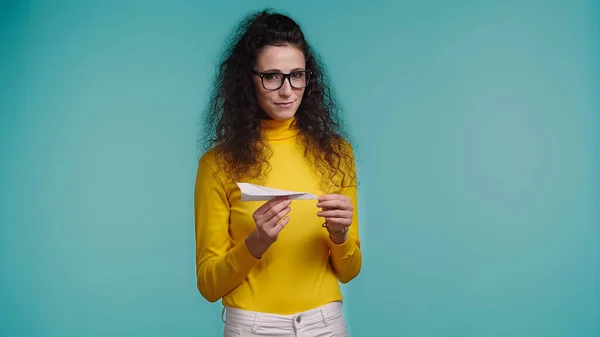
point(302, 269)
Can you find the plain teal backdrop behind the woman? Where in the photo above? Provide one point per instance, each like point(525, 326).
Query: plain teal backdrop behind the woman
point(476, 126)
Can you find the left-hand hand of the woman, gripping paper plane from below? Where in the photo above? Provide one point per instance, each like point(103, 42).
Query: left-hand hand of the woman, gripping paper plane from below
point(270, 218)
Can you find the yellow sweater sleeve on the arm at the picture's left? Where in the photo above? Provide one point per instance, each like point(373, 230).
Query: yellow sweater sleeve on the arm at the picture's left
point(220, 265)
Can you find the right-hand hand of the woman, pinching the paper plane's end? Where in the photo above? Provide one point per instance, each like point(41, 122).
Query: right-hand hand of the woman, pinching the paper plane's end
point(337, 210)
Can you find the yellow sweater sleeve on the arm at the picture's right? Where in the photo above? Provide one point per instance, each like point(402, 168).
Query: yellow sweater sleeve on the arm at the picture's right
point(346, 258)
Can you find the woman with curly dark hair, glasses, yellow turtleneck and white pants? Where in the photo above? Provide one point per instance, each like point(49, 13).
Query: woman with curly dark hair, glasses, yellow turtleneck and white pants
point(276, 265)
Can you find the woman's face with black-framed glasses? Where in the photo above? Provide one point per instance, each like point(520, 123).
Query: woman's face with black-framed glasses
point(278, 101)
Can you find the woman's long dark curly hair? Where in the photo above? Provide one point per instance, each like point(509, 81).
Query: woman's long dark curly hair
point(233, 119)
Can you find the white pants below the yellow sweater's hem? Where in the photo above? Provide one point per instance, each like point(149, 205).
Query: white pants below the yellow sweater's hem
point(324, 321)
